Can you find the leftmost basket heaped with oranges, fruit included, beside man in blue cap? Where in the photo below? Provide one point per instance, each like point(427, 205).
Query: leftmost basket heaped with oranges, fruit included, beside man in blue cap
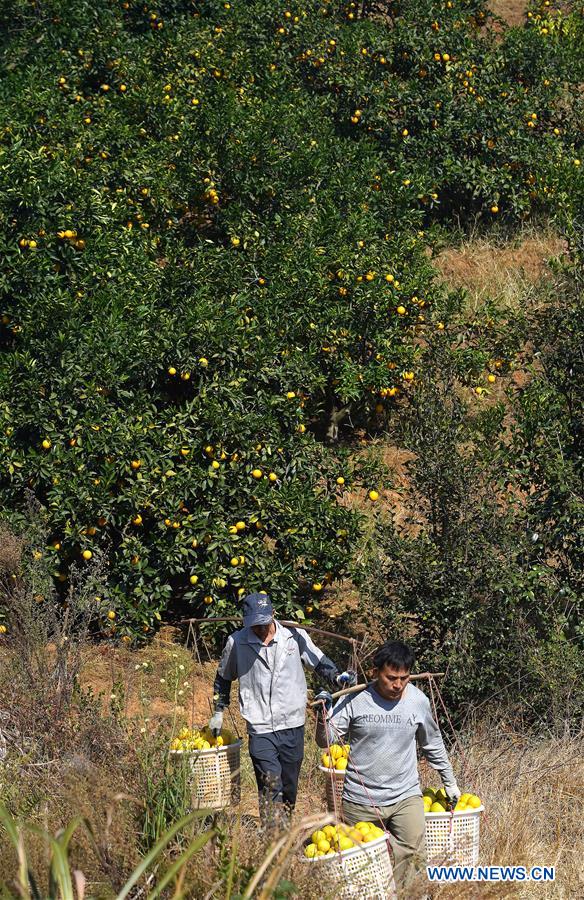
point(214, 766)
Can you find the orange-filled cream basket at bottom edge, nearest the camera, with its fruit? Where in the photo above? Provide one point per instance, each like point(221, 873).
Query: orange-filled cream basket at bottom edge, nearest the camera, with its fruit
point(354, 859)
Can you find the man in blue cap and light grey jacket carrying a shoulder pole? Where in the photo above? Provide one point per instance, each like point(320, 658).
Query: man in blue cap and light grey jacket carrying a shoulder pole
point(267, 658)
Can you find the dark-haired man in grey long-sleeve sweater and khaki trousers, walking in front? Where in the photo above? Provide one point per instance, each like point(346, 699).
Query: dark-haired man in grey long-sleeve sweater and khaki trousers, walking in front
point(384, 724)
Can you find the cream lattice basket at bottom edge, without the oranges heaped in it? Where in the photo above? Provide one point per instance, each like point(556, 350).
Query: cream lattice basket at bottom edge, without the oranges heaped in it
point(363, 872)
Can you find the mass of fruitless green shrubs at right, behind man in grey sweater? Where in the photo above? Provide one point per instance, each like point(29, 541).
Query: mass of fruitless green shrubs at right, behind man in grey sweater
point(485, 570)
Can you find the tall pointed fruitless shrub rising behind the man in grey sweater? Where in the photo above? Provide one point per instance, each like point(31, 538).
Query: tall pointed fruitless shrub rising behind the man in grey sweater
point(443, 576)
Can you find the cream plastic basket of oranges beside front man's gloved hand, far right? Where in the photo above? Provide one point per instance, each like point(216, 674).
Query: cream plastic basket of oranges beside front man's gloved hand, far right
point(452, 835)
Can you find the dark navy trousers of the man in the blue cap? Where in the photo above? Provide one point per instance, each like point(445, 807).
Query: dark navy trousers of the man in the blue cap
point(277, 758)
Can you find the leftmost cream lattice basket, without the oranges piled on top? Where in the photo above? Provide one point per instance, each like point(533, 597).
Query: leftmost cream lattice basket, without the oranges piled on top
point(214, 775)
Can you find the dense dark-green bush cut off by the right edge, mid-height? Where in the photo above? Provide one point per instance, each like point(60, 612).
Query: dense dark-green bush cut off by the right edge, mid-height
point(546, 453)
